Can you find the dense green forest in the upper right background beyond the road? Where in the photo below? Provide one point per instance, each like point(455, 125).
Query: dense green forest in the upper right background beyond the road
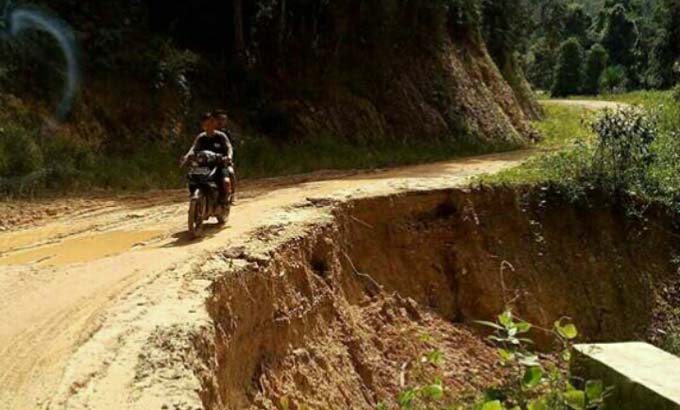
point(640, 37)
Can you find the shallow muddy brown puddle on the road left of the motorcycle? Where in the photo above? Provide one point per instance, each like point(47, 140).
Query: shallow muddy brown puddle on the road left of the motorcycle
point(80, 249)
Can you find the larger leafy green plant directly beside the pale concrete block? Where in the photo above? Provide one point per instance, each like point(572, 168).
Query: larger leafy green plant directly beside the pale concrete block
point(539, 384)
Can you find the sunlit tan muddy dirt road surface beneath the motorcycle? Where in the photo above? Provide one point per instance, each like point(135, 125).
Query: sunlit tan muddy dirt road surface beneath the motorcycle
point(86, 288)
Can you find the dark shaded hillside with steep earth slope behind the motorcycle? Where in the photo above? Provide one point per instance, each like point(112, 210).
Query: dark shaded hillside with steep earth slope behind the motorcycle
point(290, 73)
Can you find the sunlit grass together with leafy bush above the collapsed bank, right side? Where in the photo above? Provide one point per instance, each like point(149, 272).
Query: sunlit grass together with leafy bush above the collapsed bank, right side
point(631, 152)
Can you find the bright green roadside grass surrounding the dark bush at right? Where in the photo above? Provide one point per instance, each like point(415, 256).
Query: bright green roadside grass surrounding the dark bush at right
point(572, 167)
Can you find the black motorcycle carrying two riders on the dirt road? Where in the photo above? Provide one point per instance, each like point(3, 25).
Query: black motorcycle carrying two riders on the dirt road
point(204, 200)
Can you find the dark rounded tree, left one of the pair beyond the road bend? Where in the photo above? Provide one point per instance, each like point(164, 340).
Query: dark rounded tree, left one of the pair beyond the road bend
point(568, 72)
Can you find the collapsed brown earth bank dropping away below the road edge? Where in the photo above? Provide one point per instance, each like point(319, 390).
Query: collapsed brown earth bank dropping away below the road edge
point(332, 319)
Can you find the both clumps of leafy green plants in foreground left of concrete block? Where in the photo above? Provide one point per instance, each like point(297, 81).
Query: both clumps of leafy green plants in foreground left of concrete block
point(531, 382)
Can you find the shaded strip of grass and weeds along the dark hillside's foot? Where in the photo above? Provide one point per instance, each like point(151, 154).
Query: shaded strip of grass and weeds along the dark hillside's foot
point(32, 162)
